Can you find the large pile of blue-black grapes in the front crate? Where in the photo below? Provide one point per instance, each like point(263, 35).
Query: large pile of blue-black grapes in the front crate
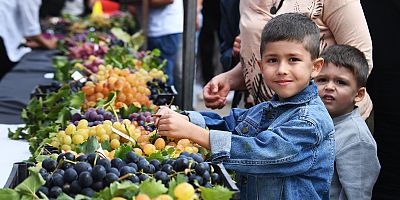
point(89, 173)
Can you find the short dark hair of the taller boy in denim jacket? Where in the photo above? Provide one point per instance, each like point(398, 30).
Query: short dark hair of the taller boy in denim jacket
point(292, 27)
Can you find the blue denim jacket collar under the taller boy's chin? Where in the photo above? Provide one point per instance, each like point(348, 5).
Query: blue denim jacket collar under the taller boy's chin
point(309, 93)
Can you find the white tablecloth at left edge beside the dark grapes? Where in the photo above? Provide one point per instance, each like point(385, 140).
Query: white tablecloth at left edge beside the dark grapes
point(11, 151)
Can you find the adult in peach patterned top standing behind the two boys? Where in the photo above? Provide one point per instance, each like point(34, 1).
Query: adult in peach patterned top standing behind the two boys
point(340, 22)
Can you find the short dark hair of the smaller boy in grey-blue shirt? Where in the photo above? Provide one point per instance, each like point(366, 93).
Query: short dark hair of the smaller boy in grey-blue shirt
point(350, 58)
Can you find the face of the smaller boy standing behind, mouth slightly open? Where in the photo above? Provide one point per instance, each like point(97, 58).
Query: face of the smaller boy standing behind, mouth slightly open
point(338, 89)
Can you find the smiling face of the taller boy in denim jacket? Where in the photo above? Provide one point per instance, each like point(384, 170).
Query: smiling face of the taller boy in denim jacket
point(287, 67)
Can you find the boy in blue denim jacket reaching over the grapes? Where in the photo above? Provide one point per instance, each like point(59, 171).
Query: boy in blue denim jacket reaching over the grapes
point(283, 148)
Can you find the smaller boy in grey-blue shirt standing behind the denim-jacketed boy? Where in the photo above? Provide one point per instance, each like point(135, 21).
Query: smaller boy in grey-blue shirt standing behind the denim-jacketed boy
point(341, 84)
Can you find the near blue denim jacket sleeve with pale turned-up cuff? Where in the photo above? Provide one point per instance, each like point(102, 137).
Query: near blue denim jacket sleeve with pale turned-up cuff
point(283, 151)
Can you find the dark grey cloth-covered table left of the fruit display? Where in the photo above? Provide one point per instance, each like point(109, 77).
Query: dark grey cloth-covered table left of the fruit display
point(16, 86)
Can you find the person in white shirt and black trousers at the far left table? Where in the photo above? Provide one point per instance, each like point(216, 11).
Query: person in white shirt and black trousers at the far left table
point(19, 31)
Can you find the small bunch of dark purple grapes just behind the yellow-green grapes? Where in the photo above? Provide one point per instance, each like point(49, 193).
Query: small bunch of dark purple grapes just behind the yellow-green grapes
point(93, 116)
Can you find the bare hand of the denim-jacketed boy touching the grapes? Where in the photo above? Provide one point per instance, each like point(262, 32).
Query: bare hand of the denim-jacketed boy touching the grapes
point(173, 125)
